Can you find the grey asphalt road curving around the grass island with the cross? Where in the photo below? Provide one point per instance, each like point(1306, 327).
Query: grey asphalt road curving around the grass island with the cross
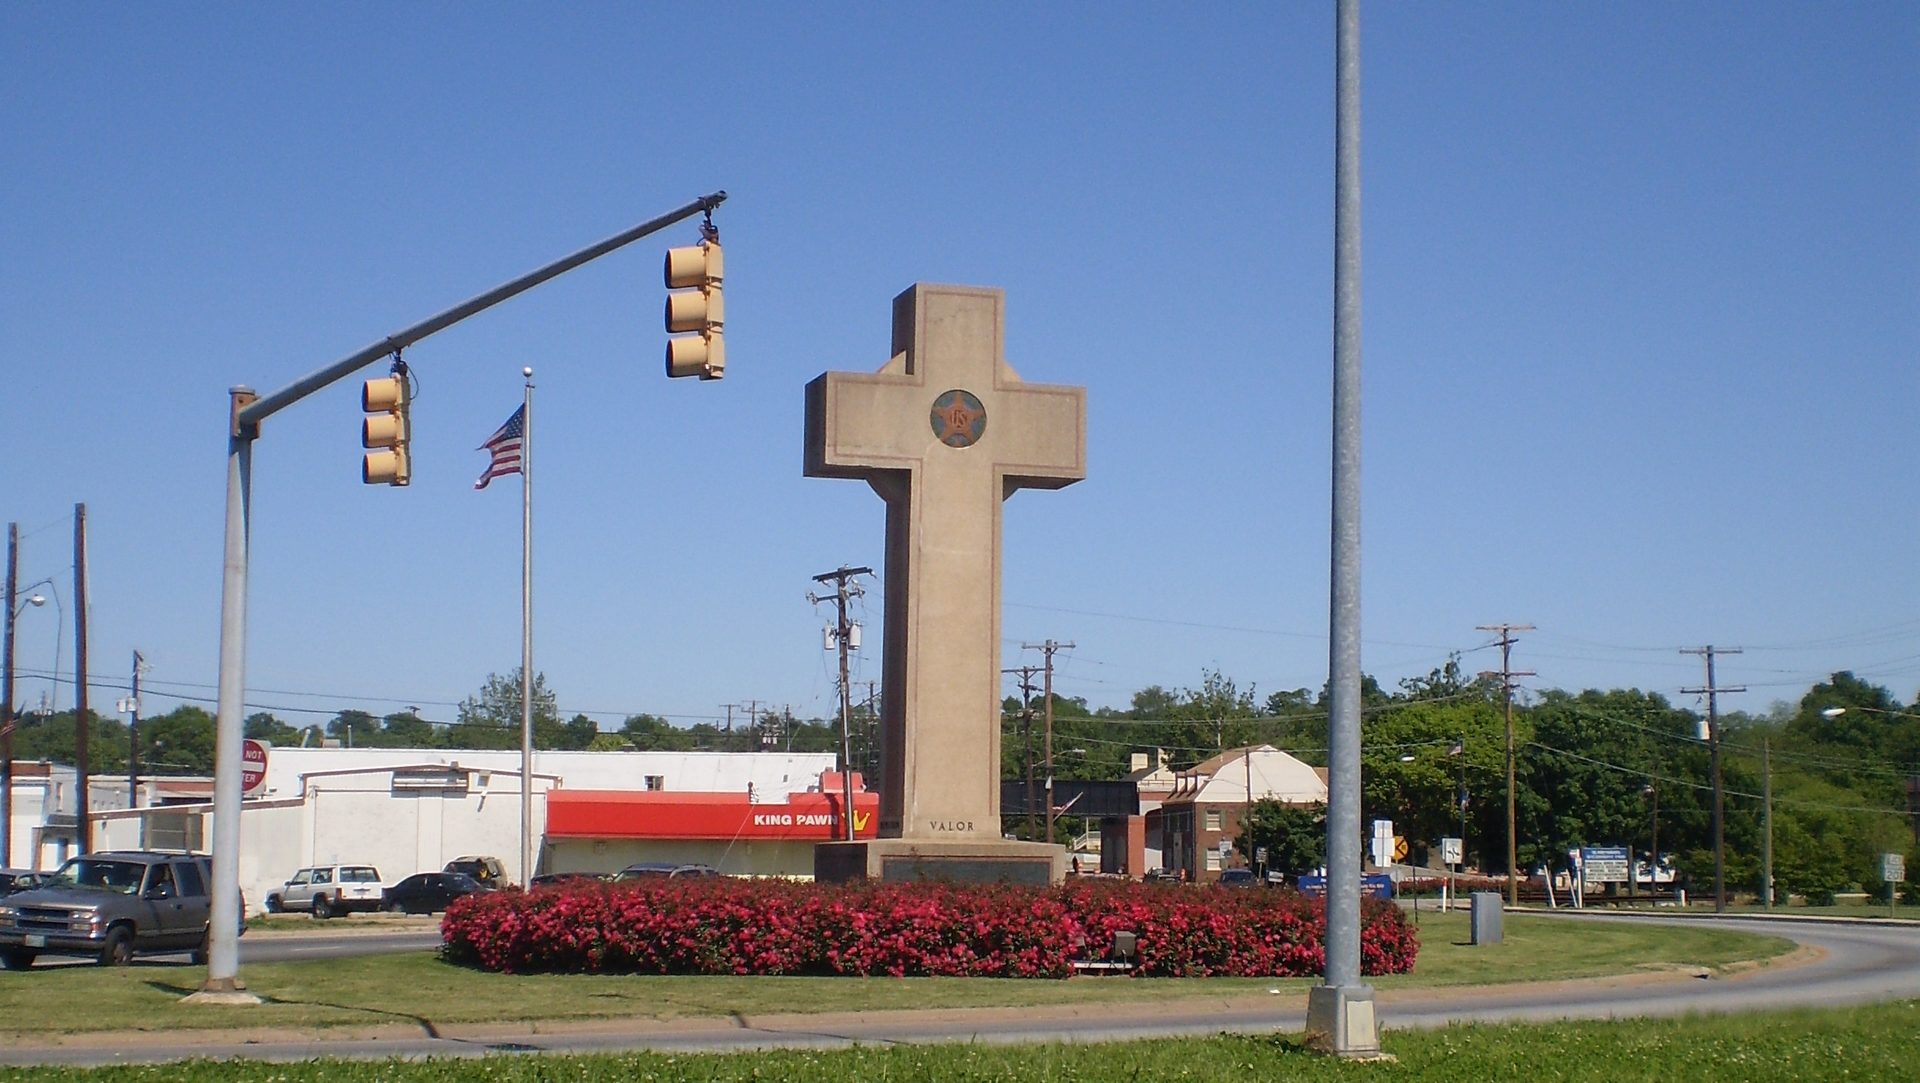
point(1858, 963)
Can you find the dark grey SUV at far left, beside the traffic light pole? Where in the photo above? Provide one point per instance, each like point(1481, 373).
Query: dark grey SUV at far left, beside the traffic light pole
point(112, 905)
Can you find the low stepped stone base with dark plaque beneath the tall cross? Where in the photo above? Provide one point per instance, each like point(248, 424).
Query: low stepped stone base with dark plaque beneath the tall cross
point(959, 861)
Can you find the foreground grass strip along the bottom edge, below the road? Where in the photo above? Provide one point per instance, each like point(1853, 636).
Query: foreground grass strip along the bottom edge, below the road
point(1856, 1046)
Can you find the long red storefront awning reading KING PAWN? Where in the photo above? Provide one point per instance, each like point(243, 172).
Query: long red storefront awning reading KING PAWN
point(663, 815)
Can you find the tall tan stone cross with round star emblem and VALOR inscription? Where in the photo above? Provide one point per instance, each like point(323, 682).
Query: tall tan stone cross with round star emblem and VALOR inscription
point(944, 433)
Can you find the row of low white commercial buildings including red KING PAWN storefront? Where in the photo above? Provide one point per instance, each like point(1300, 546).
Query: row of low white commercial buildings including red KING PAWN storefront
point(410, 811)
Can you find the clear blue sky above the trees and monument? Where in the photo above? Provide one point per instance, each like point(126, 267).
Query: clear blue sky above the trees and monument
point(1643, 318)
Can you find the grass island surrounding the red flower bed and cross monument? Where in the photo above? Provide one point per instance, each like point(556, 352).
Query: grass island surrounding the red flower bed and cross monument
point(418, 990)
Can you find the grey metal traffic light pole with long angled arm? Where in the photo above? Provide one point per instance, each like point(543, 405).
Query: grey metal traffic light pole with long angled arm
point(247, 412)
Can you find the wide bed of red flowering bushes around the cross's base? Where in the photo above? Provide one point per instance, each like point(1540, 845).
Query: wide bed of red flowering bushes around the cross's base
point(771, 927)
